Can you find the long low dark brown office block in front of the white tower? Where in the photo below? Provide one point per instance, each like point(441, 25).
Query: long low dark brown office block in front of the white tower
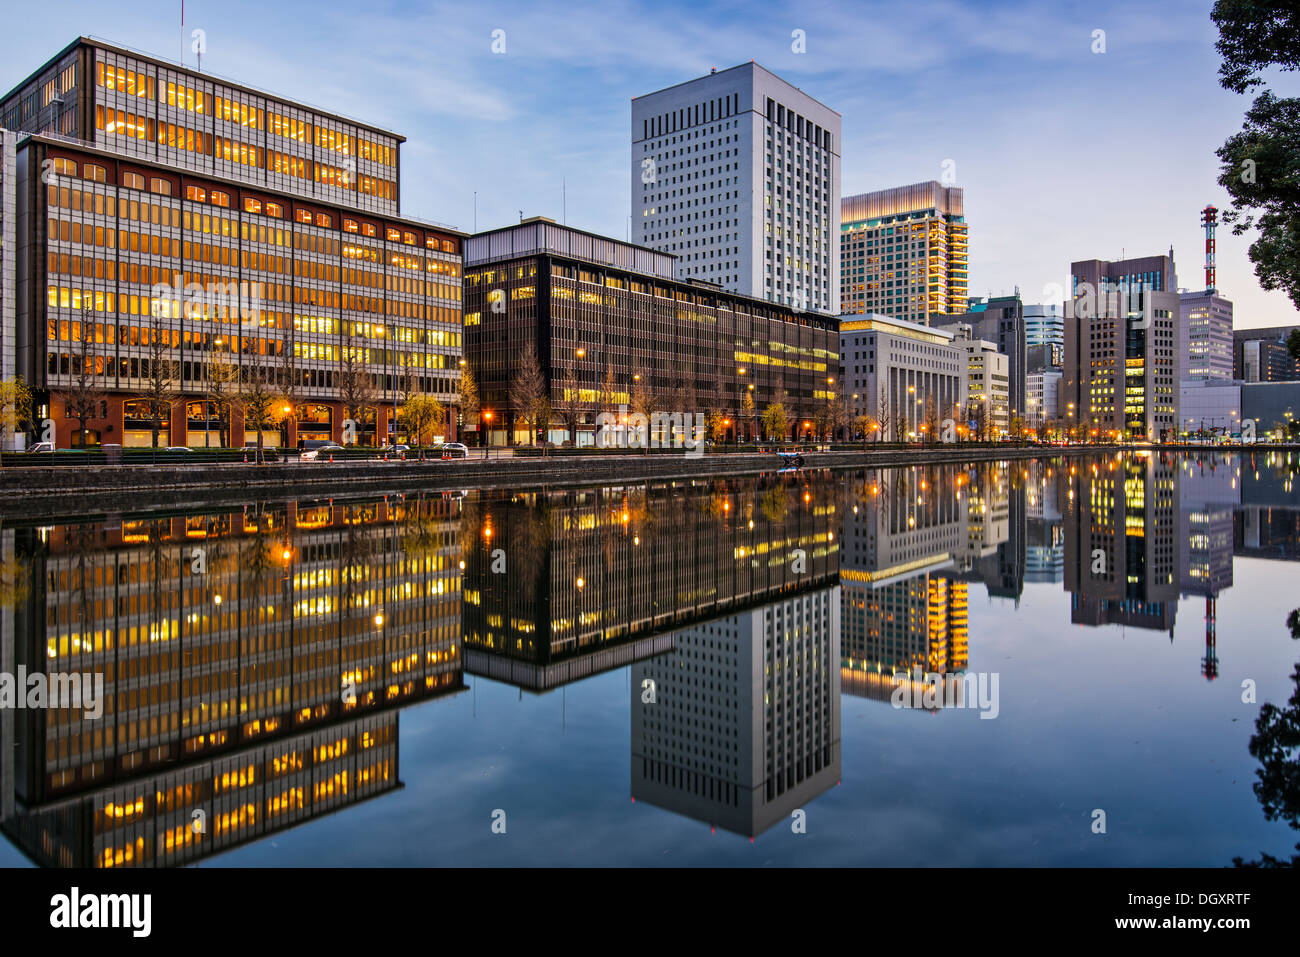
point(609, 319)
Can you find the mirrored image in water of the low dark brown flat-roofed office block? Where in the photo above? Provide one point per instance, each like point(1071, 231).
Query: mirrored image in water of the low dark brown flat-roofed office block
point(566, 584)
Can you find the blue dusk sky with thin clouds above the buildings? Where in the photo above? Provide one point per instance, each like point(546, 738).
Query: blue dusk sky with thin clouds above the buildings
point(1064, 154)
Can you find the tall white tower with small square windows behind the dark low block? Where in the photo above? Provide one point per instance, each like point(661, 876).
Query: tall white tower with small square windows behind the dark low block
point(738, 176)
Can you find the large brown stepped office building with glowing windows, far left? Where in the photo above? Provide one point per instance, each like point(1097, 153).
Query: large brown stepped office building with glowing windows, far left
point(184, 237)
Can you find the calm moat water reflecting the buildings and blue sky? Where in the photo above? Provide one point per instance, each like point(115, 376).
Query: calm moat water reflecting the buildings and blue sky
point(671, 674)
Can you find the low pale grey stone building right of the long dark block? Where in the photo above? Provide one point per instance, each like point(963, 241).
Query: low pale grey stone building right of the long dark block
point(907, 378)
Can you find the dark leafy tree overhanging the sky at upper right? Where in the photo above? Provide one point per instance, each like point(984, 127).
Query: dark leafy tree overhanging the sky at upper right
point(1262, 164)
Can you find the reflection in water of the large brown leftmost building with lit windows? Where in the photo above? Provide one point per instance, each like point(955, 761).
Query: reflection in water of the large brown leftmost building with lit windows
point(253, 661)
